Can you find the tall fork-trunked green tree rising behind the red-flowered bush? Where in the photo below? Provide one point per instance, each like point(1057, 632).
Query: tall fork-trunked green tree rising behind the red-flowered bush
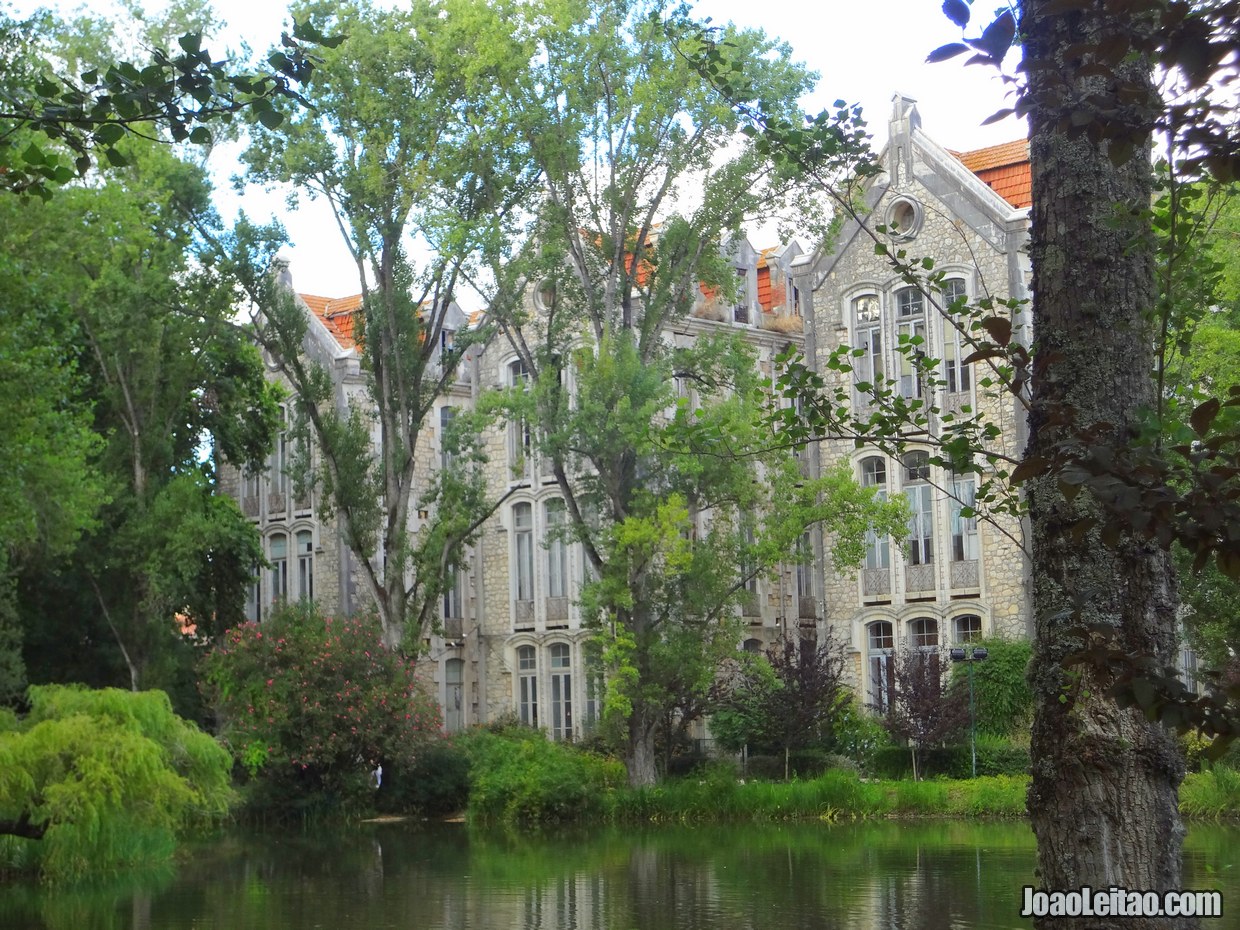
point(407, 149)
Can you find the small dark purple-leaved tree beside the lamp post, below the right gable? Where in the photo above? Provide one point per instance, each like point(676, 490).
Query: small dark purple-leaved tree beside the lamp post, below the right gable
point(926, 709)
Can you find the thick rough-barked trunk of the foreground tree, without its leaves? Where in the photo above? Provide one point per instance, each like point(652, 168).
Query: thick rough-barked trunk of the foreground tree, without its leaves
point(1104, 794)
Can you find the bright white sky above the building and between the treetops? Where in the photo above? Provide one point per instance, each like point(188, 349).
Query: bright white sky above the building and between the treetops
point(865, 53)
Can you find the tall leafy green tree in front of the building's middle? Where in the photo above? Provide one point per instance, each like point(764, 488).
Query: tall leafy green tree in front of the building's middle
point(675, 530)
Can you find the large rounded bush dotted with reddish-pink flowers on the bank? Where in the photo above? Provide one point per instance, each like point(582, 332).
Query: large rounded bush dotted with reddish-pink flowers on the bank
point(309, 705)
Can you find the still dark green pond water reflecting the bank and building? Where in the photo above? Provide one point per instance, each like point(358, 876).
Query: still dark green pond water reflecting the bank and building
point(888, 876)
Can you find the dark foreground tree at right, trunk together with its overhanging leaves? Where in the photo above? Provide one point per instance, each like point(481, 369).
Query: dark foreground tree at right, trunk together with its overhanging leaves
point(1107, 494)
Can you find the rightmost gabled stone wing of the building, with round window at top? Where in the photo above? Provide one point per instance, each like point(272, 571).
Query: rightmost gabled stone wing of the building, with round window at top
point(955, 578)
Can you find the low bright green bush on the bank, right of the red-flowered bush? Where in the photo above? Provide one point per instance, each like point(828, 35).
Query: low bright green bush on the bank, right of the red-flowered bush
point(520, 777)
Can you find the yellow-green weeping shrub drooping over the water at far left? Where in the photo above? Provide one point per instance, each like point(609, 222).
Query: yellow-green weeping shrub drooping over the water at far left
point(113, 777)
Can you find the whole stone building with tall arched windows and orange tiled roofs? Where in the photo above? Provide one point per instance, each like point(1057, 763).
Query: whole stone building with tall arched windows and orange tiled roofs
point(513, 638)
